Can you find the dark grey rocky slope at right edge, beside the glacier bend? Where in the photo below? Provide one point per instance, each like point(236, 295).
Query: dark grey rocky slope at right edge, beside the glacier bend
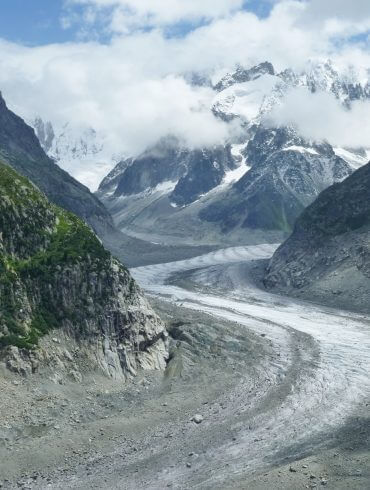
point(327, 257)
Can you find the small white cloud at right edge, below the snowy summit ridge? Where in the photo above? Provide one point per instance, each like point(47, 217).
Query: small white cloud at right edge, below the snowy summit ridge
point(320, 117)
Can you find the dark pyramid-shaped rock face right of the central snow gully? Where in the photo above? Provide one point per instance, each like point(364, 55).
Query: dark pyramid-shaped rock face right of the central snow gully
point(287, 174)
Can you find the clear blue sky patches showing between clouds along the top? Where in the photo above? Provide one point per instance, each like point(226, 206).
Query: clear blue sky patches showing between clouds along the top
point(37, 22)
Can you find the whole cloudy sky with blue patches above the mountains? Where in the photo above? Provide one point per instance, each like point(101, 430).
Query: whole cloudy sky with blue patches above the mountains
point(118, 65)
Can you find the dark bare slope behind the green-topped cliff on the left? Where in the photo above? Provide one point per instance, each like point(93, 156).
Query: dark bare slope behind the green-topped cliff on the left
point(20, 148)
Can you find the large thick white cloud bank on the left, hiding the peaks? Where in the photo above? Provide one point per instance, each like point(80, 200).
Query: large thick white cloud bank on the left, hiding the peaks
point(91, 84)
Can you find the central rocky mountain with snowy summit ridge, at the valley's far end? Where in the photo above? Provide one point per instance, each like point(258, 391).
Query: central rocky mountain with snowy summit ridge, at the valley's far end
point(260, 181)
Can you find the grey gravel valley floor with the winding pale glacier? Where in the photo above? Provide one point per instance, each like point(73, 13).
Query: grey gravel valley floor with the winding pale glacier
point(282, 387)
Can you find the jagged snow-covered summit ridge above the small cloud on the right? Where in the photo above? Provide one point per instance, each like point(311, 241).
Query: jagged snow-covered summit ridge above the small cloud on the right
point(250, 94)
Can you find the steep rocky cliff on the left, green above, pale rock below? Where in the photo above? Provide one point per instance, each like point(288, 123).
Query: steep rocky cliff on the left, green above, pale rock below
point(56, 277)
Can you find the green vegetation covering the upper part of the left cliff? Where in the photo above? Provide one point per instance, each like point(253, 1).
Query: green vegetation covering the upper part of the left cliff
point(39, 242)
